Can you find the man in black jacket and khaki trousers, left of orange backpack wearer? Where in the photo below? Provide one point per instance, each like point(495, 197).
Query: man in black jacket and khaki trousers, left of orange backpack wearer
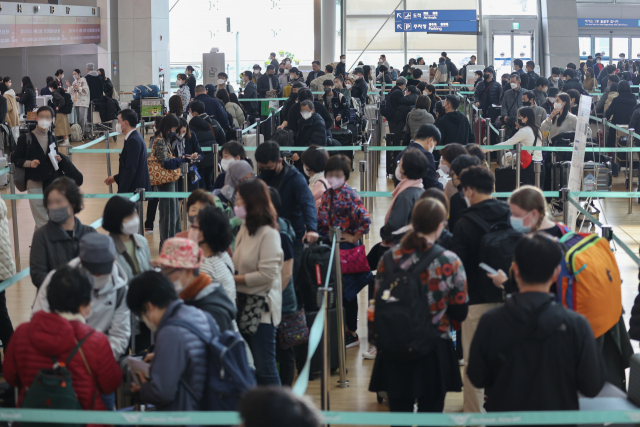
point(477, 183)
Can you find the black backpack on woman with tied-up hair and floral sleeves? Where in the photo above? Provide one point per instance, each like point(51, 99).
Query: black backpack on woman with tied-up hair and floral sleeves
point(402, 322)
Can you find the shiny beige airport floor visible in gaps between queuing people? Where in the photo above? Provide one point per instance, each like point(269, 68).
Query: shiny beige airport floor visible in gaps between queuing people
point(356, 397)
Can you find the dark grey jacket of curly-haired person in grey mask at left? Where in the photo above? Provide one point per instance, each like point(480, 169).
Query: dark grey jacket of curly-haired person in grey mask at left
point(52, 247)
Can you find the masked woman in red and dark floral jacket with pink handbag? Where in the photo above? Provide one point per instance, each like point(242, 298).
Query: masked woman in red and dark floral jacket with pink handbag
point(342, 207)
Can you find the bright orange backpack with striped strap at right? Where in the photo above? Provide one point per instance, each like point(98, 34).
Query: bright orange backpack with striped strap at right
point(589, 282)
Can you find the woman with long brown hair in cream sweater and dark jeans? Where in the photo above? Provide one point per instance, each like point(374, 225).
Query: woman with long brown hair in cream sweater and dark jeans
point(258, 259)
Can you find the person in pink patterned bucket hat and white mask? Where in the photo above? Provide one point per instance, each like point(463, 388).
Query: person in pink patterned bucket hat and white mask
point(180, 260)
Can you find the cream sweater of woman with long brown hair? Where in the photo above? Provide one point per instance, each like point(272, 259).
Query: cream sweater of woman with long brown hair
point(259, 258)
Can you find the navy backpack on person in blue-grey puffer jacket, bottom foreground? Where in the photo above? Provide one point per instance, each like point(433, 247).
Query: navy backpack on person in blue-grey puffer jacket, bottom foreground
point(228, 372)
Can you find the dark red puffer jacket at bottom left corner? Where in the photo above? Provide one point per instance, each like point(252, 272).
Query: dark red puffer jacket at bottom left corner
point(49, 334)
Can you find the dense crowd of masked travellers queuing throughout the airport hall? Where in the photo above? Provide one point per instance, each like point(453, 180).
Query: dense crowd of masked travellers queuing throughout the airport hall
point(236, 273)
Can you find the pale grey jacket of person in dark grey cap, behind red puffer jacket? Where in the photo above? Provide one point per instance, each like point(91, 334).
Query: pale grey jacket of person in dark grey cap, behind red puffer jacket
point(109, 312)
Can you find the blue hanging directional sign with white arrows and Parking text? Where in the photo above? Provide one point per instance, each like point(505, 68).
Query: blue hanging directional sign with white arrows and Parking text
point(436, 21)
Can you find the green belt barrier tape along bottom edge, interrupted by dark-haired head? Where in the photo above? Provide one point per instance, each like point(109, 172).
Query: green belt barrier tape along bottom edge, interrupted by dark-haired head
point(329, 417)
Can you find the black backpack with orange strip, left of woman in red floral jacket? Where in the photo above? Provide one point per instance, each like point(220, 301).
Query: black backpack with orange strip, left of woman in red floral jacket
point(312, 274)
